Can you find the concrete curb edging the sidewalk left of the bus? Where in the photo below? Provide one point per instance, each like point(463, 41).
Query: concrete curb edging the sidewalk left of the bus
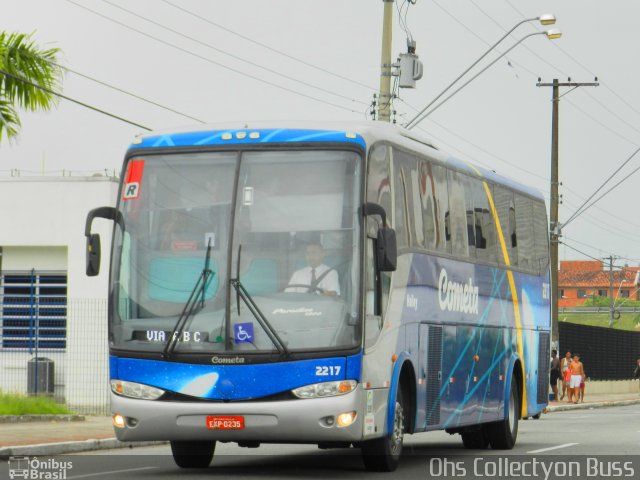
point(60, 448)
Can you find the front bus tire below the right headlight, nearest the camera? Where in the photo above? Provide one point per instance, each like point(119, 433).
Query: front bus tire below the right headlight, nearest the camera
point(383, 454)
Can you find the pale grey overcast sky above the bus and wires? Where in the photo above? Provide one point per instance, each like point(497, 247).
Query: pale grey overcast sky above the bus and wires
point(219, 61)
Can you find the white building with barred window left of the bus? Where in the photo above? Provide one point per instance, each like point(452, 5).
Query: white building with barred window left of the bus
point(48, 306)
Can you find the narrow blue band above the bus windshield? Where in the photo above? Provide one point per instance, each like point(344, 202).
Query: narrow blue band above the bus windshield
point(264, 136)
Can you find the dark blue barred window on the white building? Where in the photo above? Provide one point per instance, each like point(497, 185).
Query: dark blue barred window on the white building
point(33, 308)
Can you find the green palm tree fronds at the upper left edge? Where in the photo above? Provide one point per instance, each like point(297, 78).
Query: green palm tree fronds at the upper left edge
point(24, 67)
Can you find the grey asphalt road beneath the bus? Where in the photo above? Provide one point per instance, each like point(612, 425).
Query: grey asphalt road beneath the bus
point(596, 443)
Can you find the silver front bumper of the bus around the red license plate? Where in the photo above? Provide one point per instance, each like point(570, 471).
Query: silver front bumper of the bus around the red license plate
point(289, 421)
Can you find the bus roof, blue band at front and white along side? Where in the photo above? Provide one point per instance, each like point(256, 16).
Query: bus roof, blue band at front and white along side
point(361, 133)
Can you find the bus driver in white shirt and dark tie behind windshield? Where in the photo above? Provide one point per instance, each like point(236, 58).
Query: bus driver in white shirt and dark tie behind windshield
point(316, 277)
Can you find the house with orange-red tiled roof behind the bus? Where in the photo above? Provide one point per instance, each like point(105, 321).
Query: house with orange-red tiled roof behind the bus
point(579, 280)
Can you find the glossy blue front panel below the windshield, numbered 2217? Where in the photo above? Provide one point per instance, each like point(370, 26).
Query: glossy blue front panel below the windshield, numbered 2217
point(234, 382)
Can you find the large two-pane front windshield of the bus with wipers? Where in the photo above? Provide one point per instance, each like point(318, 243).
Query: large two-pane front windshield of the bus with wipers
point(238, 252)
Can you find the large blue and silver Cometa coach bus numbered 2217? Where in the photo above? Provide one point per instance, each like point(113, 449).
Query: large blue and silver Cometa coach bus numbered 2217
point(434, 312)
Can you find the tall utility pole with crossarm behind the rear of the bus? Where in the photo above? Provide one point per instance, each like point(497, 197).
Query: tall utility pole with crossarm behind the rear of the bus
point(555, 231)
